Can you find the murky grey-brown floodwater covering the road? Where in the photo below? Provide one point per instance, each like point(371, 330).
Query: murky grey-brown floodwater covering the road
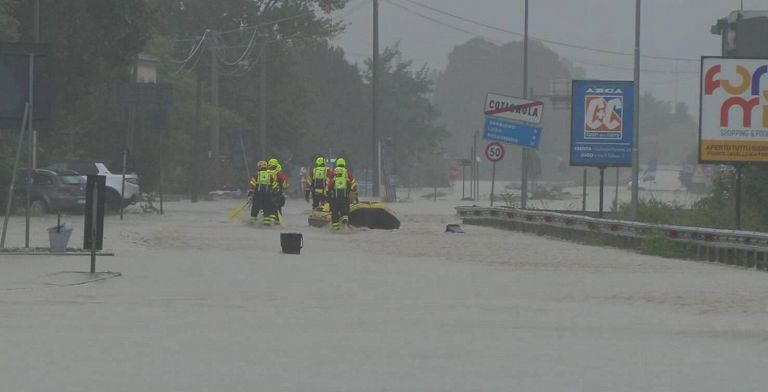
point(206, 304)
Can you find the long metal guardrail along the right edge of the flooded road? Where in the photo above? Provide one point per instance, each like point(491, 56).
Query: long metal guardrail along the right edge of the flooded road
point(740, 248)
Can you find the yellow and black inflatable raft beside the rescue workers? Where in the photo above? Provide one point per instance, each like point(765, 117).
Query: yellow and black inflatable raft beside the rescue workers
point(372, 215)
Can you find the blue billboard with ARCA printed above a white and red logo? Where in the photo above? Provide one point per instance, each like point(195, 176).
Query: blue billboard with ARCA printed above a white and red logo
point(602, 117)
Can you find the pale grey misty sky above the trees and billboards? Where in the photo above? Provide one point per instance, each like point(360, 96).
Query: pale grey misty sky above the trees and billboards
point(670, 28)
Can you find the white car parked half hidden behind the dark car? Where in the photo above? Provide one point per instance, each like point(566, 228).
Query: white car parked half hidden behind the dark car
point(114, 181)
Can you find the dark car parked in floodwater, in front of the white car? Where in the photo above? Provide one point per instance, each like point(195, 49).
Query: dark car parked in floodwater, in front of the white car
point(51, 191)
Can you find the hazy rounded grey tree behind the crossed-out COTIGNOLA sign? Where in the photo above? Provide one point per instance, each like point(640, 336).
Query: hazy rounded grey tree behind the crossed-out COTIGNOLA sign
point(478, 67)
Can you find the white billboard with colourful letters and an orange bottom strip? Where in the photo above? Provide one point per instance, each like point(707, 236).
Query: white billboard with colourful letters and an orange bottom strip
point(733, 120)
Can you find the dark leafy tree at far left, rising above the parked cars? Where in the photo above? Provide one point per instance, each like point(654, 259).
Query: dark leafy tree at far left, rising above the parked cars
point(92, 51)
